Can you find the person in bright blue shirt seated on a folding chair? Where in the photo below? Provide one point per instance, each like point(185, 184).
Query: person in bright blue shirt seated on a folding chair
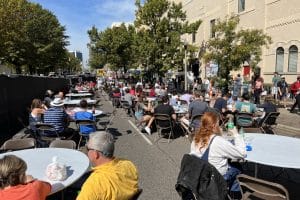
point(84, 114)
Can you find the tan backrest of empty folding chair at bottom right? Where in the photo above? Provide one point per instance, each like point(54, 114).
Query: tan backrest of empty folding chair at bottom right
point(254, 188)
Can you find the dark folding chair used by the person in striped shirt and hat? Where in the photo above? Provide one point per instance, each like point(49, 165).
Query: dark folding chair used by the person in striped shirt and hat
point(45, 134)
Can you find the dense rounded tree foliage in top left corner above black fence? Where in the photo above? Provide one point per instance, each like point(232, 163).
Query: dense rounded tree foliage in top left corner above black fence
point(31, 37)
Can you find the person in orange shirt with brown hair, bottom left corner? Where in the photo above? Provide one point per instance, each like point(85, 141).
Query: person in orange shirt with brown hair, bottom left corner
point(15, 184)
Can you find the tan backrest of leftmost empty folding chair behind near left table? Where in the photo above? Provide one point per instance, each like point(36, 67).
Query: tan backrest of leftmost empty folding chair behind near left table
point(18, 144)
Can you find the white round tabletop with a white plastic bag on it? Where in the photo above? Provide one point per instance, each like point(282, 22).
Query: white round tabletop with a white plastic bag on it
point(38, 159)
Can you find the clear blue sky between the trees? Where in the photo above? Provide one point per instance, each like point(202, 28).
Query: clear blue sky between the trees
point(78, 16)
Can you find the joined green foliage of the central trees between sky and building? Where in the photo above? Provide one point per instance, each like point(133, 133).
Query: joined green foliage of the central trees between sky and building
point(153, 42)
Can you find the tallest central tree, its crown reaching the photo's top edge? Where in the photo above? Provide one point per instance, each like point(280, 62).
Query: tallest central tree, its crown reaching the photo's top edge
point(160, 25)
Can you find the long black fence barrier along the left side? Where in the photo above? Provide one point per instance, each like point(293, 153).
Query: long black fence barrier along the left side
point(16, 94)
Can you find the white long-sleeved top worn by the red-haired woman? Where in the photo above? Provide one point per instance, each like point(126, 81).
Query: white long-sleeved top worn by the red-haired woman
point(220, 150)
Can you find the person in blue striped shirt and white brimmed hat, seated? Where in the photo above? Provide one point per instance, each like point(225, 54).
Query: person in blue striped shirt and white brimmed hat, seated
point(57, 116)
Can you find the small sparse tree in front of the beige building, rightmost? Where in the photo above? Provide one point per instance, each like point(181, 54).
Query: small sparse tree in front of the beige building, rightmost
point(231, 48)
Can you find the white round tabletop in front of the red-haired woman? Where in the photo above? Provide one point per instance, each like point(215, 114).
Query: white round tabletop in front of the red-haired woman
point(274, 150)
